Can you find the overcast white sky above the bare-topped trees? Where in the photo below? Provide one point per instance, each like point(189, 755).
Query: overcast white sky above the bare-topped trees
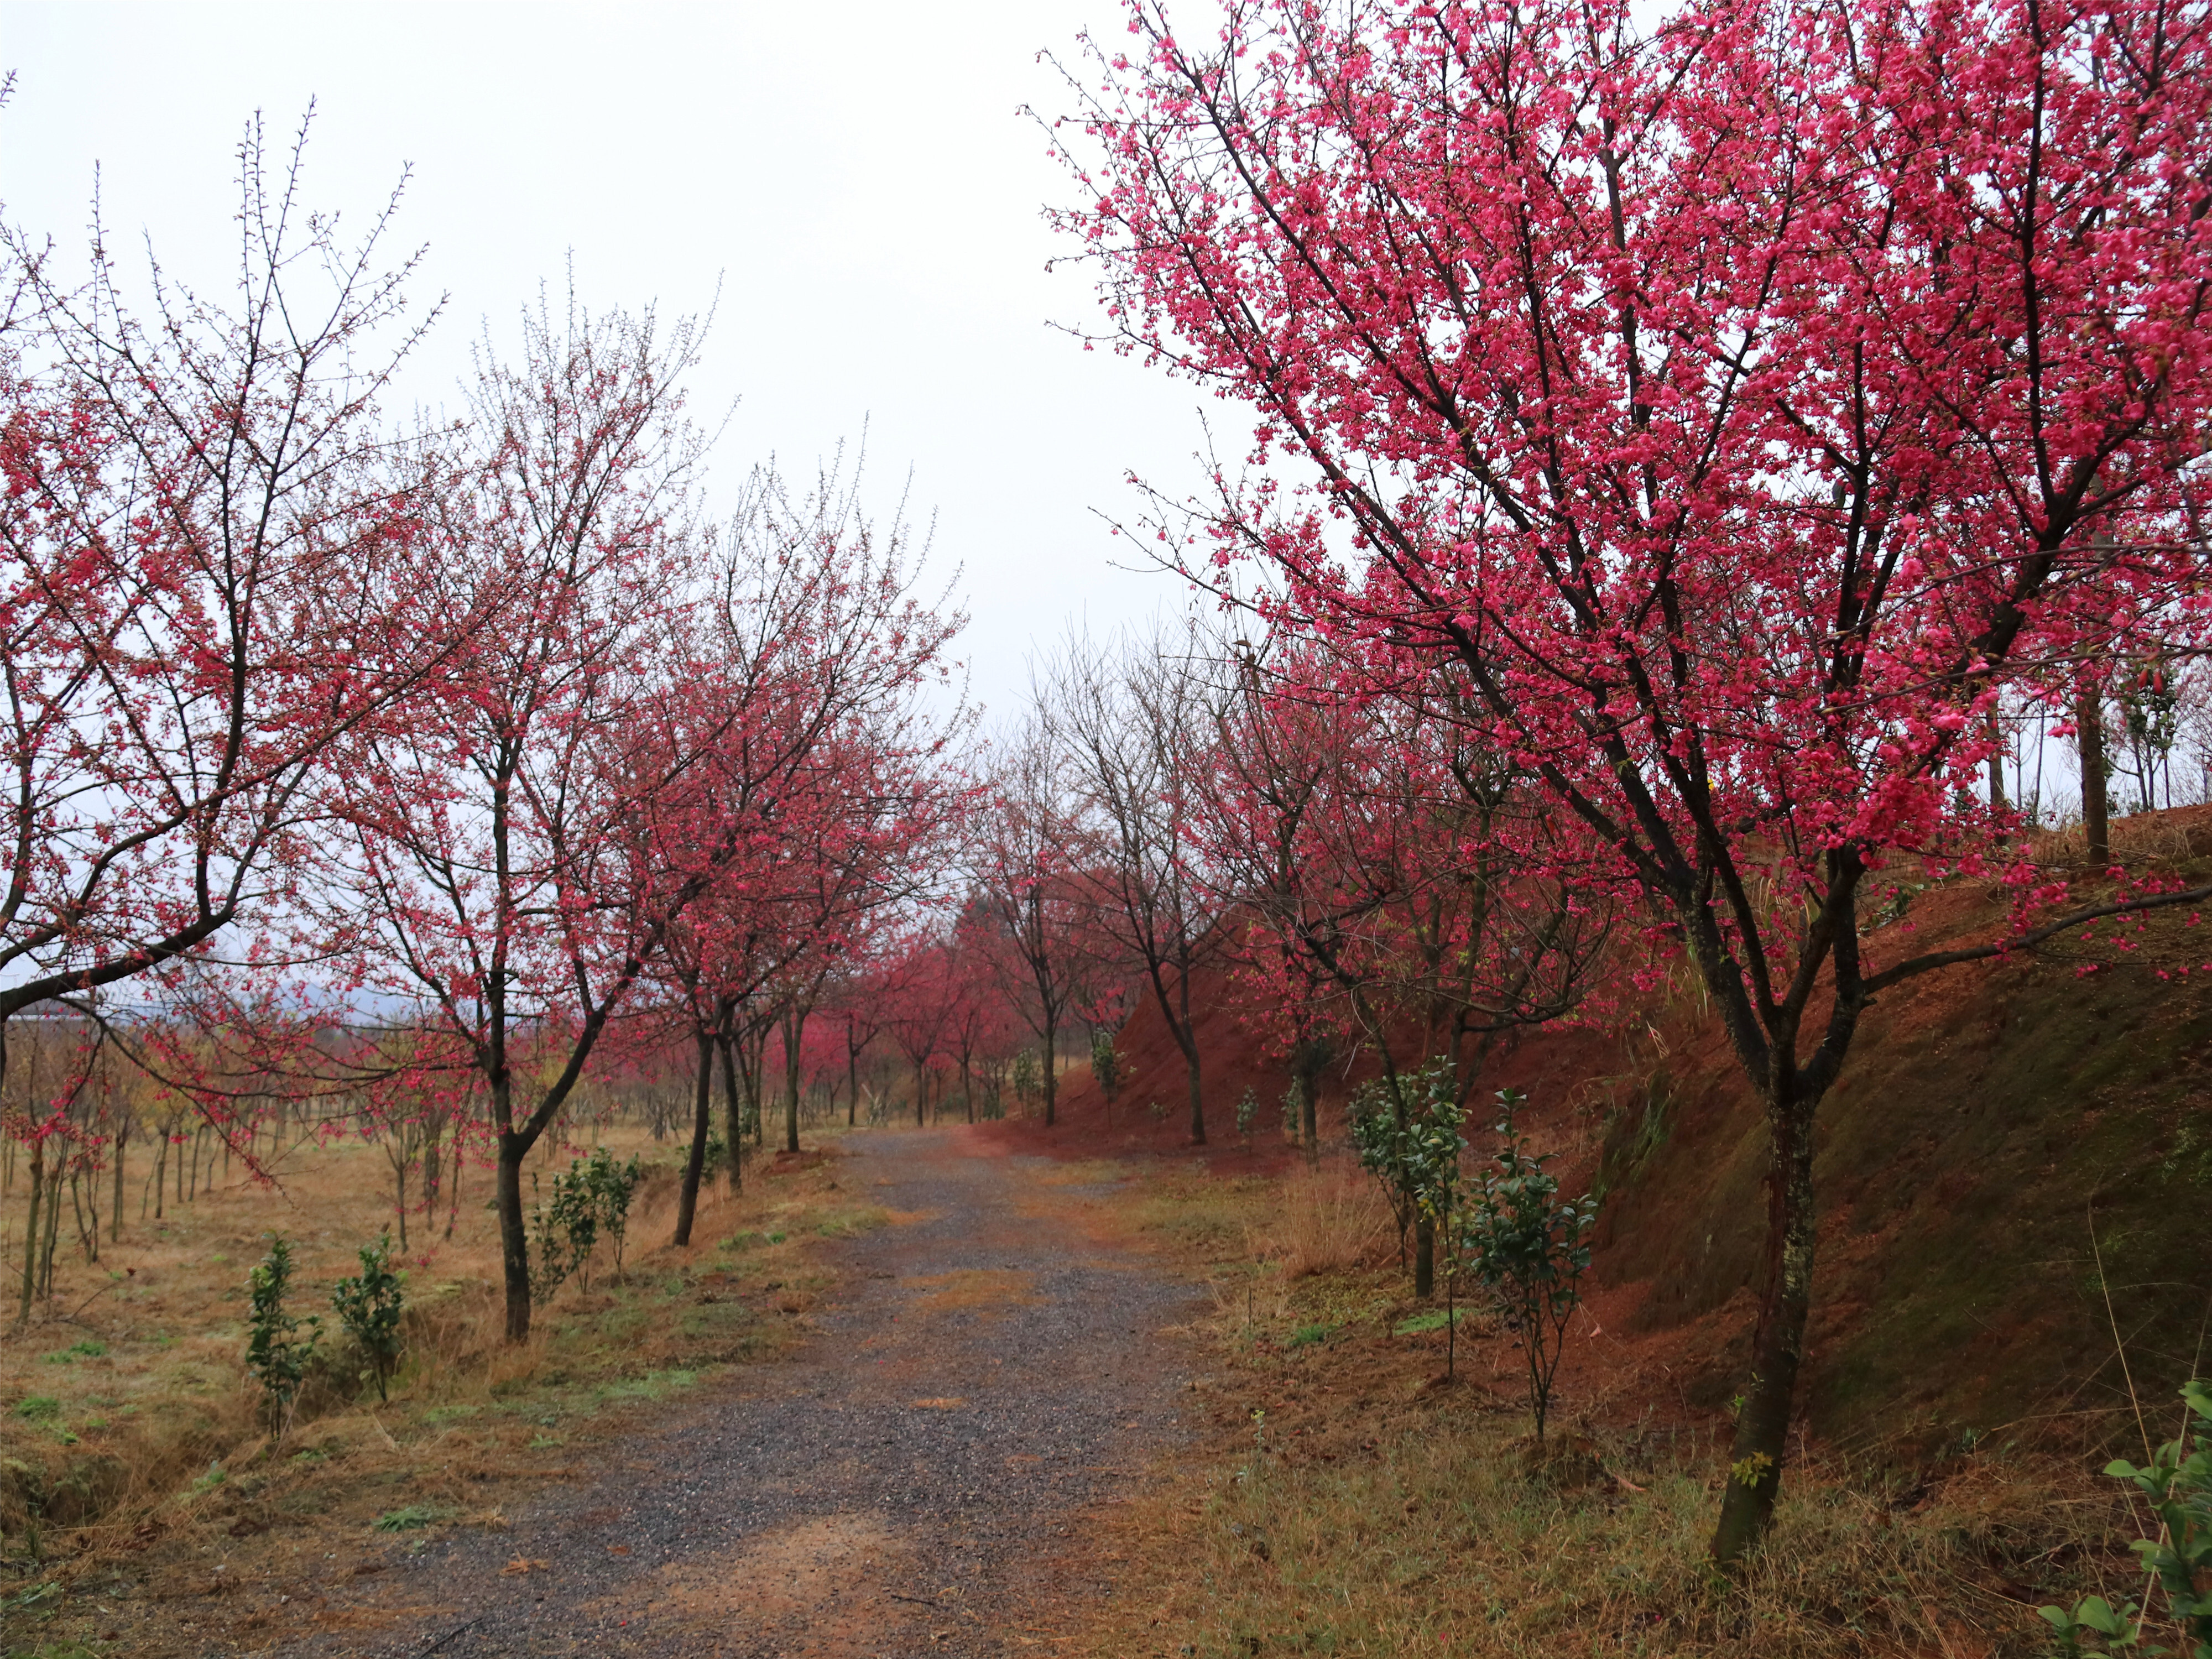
point(857, 178)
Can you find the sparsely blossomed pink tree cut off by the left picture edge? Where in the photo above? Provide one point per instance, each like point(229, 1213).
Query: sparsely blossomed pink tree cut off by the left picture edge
point(213, 576)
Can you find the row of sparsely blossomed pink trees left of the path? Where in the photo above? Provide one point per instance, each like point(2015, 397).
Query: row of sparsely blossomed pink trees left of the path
point(435, 764)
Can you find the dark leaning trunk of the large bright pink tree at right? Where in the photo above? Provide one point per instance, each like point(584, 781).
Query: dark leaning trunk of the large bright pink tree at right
point(1755, 1472)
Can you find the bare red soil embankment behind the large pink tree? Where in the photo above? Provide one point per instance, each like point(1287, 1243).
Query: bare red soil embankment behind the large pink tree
point(2014, 1171)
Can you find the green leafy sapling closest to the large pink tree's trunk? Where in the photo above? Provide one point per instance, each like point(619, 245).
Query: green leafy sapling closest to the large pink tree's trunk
point(1527, 1251)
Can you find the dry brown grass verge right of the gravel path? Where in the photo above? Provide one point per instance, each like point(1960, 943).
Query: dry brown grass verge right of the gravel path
point(1350, 1503)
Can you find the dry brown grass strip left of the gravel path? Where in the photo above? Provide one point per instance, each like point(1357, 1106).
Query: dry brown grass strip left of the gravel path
point(127, 1419)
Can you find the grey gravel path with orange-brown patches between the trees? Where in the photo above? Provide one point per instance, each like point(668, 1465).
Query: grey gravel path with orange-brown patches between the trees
point(908, 1485)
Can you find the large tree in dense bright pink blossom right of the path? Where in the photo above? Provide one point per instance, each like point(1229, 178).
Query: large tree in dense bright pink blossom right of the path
point(1733, 404)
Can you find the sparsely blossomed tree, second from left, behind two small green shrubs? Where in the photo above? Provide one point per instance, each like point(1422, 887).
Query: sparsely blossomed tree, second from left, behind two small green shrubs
point(523, 848)
